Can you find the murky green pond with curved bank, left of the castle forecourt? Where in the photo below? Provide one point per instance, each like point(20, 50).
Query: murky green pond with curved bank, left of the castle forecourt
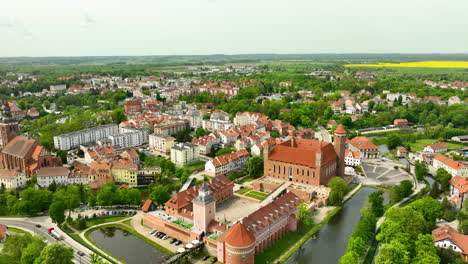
point(126, 246)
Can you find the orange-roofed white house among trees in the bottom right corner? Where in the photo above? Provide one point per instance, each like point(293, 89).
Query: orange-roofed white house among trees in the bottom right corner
point(449, 238)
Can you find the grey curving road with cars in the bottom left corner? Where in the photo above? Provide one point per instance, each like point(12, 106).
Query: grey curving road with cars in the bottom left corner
point(29, 224)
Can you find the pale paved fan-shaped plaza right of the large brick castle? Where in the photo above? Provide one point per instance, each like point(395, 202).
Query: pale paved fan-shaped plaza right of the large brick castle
point(383, 172)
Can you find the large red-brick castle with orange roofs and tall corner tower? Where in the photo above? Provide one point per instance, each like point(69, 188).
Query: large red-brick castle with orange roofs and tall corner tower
point(306, 161)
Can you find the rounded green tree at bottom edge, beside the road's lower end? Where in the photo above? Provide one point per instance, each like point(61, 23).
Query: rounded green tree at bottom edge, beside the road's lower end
point(55, 253)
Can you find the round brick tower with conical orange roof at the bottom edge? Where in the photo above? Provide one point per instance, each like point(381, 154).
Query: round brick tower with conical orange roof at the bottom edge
point(239, 245)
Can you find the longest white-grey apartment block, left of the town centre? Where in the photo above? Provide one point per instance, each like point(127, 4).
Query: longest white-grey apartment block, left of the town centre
point(84, 137)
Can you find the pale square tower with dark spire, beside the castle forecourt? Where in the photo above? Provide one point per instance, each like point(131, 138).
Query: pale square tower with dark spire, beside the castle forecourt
point(204, 209)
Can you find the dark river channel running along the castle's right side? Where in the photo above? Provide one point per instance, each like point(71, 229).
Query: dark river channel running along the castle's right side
point(332, 238)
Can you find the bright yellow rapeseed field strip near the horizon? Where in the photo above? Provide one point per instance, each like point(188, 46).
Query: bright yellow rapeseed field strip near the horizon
point(419, 64)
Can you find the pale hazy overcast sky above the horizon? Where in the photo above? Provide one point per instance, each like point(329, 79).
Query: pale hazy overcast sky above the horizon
point(181, 27)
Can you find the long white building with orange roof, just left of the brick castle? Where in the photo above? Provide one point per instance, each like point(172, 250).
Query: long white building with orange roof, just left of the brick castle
point(227, 163)
